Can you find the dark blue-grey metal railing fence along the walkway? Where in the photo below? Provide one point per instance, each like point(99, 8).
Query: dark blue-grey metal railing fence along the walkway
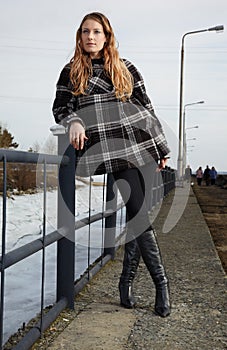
point(64, 235)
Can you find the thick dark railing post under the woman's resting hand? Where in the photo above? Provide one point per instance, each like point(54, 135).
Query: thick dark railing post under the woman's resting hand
point(66, 219)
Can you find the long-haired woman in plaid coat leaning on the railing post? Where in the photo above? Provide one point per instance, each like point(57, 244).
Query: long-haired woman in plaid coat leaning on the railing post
point(113, 128)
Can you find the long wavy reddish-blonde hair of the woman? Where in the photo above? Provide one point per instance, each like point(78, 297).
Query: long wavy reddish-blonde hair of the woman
point(114, 67)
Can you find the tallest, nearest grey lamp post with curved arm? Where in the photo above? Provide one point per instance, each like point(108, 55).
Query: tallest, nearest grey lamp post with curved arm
point(180, 151)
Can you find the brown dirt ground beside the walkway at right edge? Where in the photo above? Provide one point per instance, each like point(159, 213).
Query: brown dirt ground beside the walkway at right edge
point(213, 203)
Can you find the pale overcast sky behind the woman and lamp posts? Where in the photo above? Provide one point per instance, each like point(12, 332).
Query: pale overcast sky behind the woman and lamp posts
point(37, 38)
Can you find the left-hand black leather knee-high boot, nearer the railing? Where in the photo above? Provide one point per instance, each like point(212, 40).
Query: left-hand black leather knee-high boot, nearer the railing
point(130, 265)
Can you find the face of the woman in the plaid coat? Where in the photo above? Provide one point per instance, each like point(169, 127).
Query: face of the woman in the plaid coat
point(93, 37)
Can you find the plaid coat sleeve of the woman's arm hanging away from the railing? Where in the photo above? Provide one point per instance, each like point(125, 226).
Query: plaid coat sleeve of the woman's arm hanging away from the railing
point(139, 95)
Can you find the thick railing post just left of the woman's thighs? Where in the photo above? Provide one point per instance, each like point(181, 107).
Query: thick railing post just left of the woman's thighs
point(110, 222)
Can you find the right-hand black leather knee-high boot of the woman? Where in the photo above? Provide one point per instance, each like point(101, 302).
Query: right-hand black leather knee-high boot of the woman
point(151, 255)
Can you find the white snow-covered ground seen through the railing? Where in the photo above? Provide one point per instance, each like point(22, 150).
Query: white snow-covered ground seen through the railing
point(24, 224)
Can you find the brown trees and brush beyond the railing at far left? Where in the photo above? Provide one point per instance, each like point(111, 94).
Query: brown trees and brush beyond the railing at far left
point(24, 177)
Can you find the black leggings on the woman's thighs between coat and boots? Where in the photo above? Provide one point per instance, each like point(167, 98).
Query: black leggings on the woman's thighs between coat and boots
point(136, 195)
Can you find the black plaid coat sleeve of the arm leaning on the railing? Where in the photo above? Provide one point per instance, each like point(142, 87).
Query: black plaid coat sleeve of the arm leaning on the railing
point(64, 106)
